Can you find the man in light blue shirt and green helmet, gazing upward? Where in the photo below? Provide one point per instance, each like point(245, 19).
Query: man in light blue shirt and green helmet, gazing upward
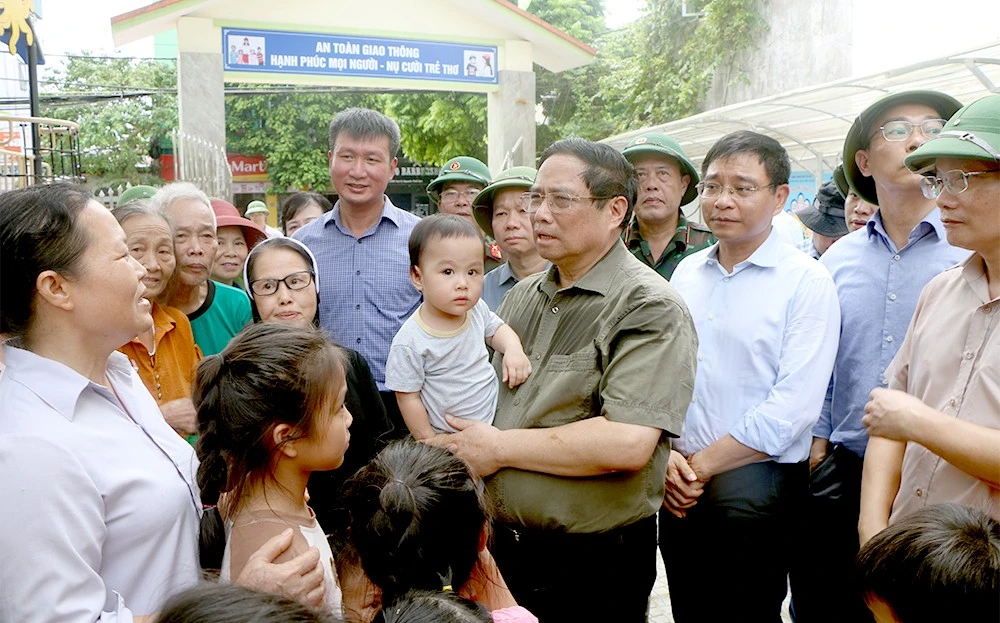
point(879, 271)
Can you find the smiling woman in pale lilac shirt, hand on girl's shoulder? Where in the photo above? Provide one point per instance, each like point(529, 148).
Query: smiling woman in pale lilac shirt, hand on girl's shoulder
point(100, 511)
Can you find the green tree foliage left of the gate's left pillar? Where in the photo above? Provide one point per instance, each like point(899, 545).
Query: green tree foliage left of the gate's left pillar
point(115, 133)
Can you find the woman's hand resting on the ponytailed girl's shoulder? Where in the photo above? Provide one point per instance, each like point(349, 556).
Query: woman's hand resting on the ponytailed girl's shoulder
point(301, 578)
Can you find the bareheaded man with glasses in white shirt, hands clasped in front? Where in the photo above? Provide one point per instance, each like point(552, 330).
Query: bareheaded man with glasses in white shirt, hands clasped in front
point(767, 319)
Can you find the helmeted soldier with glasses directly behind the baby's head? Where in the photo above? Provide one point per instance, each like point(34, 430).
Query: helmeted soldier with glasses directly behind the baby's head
point(458, 183)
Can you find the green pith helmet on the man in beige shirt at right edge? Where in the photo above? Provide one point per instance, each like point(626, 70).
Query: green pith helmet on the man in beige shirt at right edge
point(973, 133)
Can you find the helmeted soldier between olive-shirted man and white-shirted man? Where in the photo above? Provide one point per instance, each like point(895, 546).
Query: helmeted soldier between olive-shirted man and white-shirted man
point(659, 235)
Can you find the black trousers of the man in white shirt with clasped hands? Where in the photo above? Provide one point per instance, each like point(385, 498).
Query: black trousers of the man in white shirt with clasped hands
point(728, 560)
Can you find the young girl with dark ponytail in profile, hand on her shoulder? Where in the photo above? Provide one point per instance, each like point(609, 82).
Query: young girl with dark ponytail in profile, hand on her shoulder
point(270, 412)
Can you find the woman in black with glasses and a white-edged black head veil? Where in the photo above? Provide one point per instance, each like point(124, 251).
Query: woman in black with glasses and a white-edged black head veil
point(283, 283)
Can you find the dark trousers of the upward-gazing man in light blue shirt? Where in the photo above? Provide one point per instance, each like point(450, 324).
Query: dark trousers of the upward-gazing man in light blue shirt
point(824, 580)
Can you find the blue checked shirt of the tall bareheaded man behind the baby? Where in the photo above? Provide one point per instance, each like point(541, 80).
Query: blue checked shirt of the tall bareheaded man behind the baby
point(365, 288)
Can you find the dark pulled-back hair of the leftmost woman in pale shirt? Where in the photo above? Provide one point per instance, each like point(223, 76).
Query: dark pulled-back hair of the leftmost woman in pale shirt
point(39, 231)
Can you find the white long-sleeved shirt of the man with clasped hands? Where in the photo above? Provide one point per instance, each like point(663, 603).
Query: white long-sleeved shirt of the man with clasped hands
point(767, 339)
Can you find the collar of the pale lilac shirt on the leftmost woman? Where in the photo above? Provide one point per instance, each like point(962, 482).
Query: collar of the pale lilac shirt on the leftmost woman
point(36, 373)
